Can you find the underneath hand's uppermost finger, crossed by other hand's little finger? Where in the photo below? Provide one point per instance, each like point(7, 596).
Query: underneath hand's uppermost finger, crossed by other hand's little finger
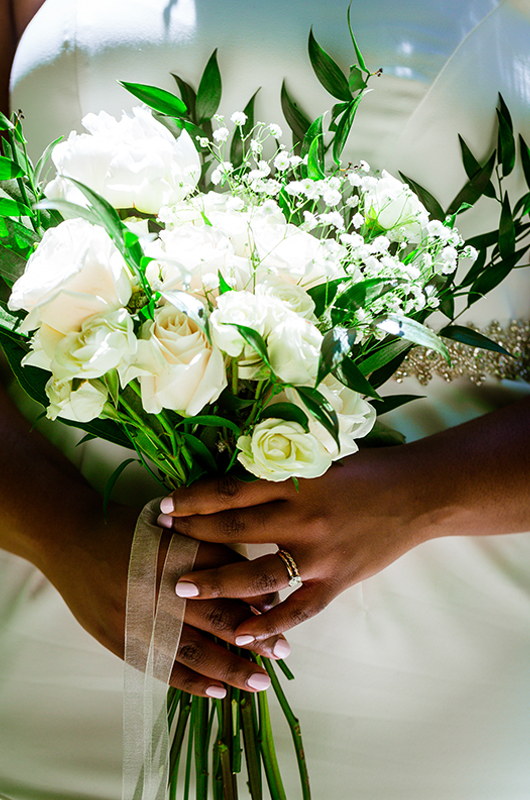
point(222, 617)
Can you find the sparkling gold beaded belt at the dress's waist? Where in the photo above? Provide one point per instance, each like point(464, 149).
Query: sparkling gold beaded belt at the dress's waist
point(473, 362)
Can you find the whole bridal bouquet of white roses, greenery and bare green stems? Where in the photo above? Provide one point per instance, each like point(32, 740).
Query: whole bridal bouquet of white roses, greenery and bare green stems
point(191, 287)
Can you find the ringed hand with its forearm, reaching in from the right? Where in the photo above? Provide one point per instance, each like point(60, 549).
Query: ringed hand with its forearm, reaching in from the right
point(359, 517)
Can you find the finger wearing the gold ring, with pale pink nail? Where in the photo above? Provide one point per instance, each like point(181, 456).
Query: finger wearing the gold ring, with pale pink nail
point(243, 580)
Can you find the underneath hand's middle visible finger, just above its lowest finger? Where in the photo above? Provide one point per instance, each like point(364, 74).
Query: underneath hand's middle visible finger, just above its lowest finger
point(213, 661)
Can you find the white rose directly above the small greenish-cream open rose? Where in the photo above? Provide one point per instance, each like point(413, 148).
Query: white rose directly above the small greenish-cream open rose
point(294, 350)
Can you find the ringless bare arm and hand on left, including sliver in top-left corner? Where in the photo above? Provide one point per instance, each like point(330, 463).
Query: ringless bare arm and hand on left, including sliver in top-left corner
point(62, 531)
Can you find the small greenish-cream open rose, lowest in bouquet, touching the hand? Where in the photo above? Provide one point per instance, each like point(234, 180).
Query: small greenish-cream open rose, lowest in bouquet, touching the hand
point(278, 450)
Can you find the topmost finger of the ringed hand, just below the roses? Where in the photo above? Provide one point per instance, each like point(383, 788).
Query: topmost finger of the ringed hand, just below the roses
point(219, 494)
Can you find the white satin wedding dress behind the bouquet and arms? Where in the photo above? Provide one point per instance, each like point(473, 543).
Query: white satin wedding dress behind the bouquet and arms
point(414, 685)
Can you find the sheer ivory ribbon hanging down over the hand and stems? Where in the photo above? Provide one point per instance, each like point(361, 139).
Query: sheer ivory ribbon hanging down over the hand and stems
point(152, 635)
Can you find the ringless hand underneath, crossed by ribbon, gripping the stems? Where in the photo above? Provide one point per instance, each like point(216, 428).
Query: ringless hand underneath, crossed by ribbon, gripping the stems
point(90, 571)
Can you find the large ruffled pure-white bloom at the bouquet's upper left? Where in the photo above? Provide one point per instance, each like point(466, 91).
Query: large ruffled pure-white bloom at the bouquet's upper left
point(133, 163)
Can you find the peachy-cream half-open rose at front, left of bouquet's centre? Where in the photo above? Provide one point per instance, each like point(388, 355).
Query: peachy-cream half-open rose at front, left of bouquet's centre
point(178, 367)
